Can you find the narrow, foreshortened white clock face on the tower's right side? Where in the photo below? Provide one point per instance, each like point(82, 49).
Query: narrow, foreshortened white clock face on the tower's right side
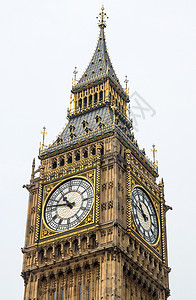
point(144, 215)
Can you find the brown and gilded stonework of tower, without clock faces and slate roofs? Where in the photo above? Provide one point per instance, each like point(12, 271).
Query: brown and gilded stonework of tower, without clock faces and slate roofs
point(104, 256)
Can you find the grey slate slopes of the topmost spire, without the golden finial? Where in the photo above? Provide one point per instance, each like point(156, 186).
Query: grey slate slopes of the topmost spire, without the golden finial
point(101, 60)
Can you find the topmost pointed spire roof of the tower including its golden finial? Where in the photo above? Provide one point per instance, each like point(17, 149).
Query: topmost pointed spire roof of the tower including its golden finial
point(100, 65)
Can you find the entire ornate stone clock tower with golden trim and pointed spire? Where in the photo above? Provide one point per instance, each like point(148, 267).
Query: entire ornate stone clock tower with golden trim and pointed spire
point(96, 221)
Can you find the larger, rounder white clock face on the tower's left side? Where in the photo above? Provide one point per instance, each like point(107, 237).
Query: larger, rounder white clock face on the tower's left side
point(69, 204)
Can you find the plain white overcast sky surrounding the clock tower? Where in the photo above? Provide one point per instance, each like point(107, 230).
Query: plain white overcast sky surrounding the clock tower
point(154, 43)
